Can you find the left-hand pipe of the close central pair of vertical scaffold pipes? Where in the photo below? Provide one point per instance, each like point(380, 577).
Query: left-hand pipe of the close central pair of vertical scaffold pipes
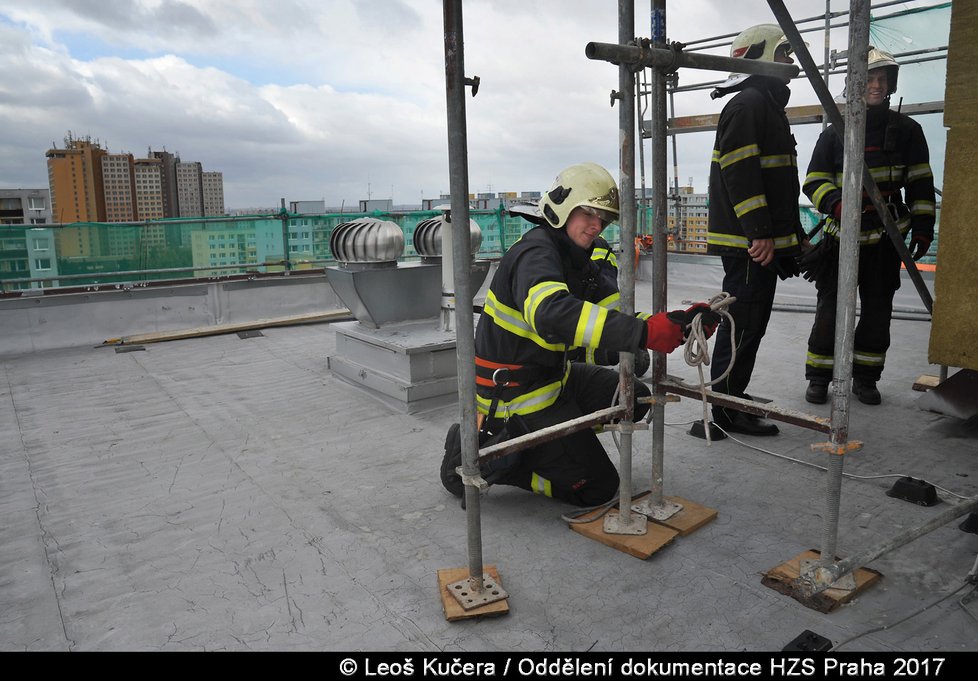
point(626, 222)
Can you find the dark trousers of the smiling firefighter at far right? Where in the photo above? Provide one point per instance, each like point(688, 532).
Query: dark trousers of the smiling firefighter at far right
point(878, 281)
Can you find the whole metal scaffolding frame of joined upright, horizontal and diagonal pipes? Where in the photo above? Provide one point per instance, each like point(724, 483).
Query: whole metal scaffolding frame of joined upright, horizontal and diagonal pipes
point(632, 55)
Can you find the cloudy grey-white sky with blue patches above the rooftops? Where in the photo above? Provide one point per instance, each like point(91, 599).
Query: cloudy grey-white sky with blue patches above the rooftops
point(345, 99)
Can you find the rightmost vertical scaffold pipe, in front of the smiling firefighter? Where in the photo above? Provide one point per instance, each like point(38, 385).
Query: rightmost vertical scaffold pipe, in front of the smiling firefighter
point(854, 145)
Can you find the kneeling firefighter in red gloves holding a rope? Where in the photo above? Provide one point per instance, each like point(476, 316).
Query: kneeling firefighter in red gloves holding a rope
point(548, 299)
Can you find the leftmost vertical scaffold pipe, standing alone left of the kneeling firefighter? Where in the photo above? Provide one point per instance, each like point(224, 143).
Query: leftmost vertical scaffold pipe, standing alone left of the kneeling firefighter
point(458, 165)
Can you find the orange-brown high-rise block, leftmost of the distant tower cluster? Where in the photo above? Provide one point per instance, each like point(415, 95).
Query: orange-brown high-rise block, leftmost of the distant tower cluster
point(75, 181)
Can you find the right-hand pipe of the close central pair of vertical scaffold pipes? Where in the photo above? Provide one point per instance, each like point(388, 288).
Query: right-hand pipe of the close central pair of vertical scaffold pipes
point(660, 184)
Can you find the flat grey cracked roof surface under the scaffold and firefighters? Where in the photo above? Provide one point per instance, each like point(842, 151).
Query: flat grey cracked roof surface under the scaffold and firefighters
point(223, 493)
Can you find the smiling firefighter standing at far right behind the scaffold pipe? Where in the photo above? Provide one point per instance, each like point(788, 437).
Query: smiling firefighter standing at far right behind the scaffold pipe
point(897, 156)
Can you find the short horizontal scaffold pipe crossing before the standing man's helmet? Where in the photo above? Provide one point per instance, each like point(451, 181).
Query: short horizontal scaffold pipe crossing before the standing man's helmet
point(653, 56)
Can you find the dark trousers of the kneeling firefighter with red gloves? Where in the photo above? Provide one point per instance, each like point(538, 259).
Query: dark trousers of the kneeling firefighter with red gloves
point(576, 467)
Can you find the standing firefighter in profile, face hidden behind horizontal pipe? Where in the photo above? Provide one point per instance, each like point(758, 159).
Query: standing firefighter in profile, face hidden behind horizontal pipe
point(753, 215)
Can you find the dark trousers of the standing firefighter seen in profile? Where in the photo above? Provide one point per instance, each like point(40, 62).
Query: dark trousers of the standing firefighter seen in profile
point(753, 286)
